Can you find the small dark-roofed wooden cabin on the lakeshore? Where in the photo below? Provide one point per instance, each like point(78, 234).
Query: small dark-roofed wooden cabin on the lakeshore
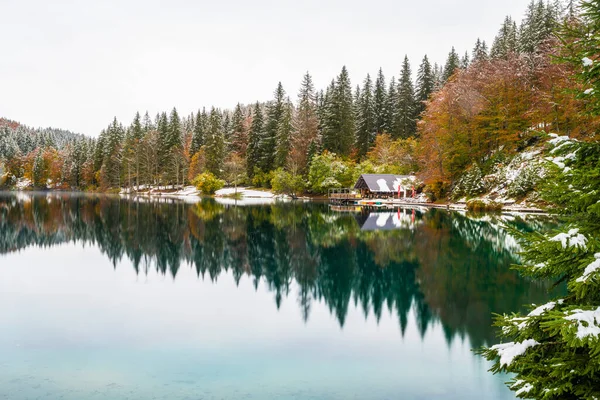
point(384, 185)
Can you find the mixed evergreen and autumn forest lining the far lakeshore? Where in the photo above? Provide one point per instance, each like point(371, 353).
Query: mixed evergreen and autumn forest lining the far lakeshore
point(473, 112)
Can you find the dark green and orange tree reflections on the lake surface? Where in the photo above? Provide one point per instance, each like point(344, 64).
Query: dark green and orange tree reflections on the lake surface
point(448, 269)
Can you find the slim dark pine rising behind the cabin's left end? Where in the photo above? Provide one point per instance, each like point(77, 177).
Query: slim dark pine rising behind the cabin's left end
point(365, 119)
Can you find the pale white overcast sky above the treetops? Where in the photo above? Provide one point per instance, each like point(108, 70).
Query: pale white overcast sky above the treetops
point(76, 64)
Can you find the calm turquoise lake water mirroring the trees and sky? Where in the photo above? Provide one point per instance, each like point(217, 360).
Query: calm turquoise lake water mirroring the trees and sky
point(104, 298)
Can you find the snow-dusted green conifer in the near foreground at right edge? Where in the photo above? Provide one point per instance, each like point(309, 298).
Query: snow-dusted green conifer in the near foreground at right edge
point(552, 352)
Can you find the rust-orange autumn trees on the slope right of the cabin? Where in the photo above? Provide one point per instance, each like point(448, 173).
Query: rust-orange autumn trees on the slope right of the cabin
point(497, 107)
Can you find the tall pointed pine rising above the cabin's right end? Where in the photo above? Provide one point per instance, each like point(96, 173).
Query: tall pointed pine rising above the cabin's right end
point(406, 112)
